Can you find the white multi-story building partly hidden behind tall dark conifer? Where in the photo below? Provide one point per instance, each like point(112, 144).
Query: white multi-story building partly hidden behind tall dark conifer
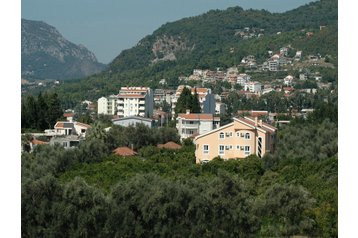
point(206, 99)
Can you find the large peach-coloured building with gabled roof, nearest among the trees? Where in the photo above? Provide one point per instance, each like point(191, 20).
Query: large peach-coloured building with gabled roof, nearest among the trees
point(243, 137)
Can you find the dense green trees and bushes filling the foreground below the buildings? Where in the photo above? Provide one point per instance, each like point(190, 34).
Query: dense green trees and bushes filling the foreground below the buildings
point(89, 192)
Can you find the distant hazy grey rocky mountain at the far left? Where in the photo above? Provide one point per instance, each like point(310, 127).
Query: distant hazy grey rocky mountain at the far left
point(46, 54)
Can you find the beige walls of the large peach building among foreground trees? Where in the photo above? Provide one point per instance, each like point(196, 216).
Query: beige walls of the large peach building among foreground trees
point(213, 141)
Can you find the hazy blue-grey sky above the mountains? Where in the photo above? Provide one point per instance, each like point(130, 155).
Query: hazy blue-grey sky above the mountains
point(106, 27)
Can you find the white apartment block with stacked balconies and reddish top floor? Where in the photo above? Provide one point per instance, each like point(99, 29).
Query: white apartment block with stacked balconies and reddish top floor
point(135, 101)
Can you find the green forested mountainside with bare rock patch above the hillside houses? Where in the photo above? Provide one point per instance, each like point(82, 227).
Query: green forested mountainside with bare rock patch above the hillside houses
point(209, 41)
